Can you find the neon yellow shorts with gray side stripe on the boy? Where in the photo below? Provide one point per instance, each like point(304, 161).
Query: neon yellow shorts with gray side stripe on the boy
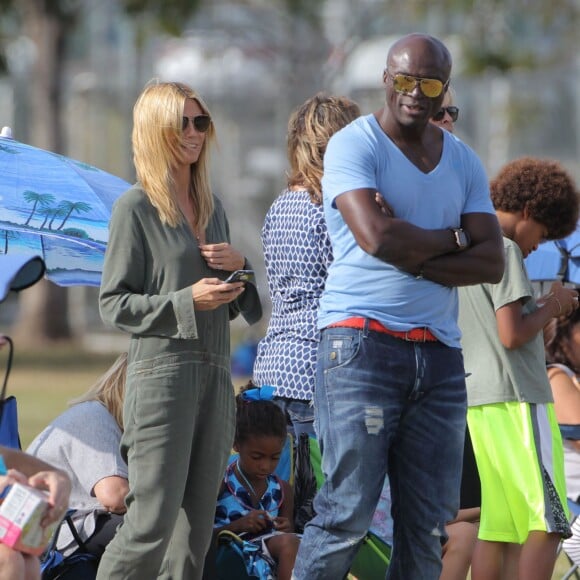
point(520, 459)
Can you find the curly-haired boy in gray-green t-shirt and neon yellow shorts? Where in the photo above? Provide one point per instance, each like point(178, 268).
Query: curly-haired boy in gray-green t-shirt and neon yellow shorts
point(511, 417)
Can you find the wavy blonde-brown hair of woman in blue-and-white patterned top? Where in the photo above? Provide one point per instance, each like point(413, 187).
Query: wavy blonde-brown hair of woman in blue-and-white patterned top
point(309, 129)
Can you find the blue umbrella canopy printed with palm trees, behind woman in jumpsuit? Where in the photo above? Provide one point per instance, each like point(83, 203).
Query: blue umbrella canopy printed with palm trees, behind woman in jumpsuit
point(57, 208)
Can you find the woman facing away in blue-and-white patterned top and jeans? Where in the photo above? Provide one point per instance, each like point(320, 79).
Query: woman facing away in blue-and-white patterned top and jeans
point(297, 253)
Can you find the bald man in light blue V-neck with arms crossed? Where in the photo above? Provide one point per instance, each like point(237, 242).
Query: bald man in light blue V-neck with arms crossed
point(390, 393)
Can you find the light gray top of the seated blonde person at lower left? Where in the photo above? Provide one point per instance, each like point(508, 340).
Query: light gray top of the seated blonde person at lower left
point(84, 442)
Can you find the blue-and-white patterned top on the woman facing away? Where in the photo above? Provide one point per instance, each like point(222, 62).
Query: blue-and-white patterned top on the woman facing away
point(297, 254)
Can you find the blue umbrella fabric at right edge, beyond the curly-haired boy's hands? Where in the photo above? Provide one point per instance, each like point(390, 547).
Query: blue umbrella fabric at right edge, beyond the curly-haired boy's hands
point(556, 260)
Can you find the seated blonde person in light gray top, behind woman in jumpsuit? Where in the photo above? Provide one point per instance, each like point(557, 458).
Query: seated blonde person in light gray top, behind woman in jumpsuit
point(84, 443)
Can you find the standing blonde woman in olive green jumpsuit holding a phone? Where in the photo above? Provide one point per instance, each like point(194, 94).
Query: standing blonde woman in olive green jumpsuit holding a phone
point(168, 255)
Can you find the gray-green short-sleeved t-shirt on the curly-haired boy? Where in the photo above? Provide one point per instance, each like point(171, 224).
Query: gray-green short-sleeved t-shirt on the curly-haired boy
point(499, 374)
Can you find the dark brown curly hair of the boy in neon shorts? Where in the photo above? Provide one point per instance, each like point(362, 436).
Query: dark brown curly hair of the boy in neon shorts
point(542, 187)
